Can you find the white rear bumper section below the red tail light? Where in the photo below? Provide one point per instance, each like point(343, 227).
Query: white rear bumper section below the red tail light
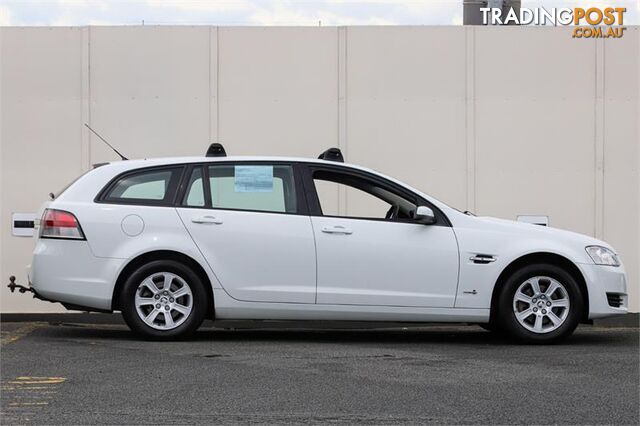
point(66, 271)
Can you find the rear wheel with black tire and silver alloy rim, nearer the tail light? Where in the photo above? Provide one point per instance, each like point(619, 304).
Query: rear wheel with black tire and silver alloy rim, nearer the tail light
point(160, 313)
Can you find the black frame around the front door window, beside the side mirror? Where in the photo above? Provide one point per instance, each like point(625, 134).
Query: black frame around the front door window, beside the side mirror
point(315, 209)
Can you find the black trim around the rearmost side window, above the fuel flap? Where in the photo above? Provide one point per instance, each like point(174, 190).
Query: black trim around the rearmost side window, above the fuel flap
point(170, 196)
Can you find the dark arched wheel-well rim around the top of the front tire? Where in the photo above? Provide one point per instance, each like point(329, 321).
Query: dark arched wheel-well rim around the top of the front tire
point(541, 257)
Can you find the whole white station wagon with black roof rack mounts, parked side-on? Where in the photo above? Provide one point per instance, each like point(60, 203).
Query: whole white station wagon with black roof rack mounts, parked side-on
point(170, 242)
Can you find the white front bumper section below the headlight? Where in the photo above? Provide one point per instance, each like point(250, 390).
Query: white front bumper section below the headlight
point(603, 280)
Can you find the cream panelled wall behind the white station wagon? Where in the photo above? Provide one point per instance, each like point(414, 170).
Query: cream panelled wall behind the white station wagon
point(501, 120)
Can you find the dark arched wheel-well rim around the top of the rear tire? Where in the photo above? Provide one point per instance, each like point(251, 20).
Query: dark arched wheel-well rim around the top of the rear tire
point(147, 257)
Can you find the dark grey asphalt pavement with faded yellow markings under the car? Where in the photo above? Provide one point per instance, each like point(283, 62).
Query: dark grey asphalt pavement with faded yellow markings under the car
point(101, 374)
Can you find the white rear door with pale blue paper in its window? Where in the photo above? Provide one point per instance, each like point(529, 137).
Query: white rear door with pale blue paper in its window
point(250, 221)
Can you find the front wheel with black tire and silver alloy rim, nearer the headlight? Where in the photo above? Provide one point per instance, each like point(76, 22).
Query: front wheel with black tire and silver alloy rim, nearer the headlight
point(550, 314)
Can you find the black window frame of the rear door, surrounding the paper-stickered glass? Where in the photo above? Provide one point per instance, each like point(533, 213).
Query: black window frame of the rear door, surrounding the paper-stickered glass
point(301, 199)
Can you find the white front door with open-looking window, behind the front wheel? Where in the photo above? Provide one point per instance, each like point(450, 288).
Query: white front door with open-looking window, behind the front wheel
point(371, 252)
